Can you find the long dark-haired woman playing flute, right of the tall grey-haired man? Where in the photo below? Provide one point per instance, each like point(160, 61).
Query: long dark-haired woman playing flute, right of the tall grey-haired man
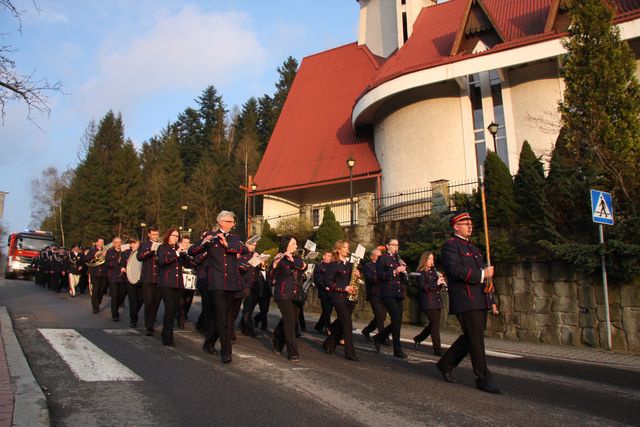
point(286, 269)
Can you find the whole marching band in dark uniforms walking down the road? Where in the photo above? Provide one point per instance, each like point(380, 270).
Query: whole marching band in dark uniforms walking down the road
point(228, 275)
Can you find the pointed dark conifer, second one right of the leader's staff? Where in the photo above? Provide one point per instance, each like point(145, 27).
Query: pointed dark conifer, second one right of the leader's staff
point(532, 206)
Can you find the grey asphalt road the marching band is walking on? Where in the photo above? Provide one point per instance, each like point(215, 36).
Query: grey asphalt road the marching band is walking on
point(185, 386)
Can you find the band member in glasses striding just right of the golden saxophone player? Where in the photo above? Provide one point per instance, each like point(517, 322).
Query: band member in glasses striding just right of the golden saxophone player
point(389, 270)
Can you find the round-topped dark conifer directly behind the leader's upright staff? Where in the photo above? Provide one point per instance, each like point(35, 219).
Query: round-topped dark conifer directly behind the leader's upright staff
point(501, 205)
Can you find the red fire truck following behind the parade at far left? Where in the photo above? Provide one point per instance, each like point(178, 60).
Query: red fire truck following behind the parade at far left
point(22, 248)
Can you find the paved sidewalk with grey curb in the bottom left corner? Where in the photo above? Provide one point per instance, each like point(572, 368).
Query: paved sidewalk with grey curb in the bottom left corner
point(22, 402)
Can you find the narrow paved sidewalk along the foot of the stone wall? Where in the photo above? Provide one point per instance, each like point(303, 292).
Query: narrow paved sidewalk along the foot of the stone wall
point(521, 348)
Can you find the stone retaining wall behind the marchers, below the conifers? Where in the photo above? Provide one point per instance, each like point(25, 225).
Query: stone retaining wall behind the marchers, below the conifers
point(546, 303)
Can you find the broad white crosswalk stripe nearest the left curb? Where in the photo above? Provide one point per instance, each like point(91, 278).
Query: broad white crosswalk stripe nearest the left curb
point(87, 361)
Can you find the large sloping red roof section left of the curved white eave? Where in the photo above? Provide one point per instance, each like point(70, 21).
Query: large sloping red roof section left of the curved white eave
point(314, 136)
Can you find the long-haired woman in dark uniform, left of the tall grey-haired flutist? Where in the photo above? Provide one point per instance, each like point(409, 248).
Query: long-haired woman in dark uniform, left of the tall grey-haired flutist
point(171, 258)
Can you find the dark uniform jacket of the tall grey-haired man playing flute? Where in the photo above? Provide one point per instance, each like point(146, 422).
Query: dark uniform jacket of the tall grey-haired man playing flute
point(222, 263)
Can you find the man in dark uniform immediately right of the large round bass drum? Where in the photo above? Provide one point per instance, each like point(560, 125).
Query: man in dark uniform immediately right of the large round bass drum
point(149, 278)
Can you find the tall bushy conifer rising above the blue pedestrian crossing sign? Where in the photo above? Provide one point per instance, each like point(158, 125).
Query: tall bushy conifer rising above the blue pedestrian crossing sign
point(601, 106)
